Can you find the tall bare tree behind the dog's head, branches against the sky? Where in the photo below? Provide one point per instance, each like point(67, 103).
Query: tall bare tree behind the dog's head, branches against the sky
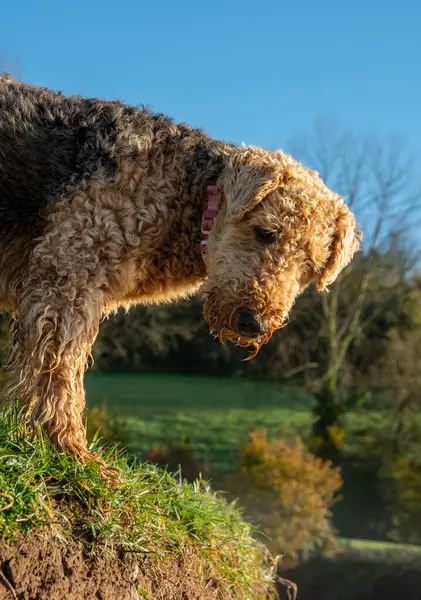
point(377, 178)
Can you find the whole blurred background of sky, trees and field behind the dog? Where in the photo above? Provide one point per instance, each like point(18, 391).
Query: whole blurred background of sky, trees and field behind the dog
point(319, 436)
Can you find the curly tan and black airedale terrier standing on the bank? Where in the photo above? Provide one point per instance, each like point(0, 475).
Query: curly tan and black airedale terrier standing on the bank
point(104, 205)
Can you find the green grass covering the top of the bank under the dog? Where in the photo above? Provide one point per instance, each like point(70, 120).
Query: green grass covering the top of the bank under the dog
point(151, 512)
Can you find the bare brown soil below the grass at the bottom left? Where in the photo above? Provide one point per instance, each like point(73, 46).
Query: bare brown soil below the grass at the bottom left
point(43, 567)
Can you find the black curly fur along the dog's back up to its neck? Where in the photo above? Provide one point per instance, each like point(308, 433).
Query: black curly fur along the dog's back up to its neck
point(52, 145)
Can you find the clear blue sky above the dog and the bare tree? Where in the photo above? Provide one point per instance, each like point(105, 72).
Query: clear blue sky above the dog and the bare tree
point(258, 72)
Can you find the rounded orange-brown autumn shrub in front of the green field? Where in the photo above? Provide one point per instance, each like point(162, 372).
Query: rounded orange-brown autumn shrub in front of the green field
point(289, 492)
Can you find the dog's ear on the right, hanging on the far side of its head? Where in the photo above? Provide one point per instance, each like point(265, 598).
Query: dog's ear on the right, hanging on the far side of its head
point(346, 243)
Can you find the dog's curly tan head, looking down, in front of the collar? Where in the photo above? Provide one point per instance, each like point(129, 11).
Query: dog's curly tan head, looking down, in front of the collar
point(279, 229)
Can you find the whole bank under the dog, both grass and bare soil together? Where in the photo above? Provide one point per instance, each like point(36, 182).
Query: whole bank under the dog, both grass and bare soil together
point(168, 531)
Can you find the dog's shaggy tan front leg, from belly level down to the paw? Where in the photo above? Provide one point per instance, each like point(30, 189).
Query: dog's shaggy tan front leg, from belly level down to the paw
point(52, 338)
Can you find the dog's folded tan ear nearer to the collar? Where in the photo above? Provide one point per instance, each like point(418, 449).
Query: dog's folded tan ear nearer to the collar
point(246, 184)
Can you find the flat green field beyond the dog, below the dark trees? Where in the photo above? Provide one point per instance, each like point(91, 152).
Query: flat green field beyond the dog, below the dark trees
point(215, 414)
